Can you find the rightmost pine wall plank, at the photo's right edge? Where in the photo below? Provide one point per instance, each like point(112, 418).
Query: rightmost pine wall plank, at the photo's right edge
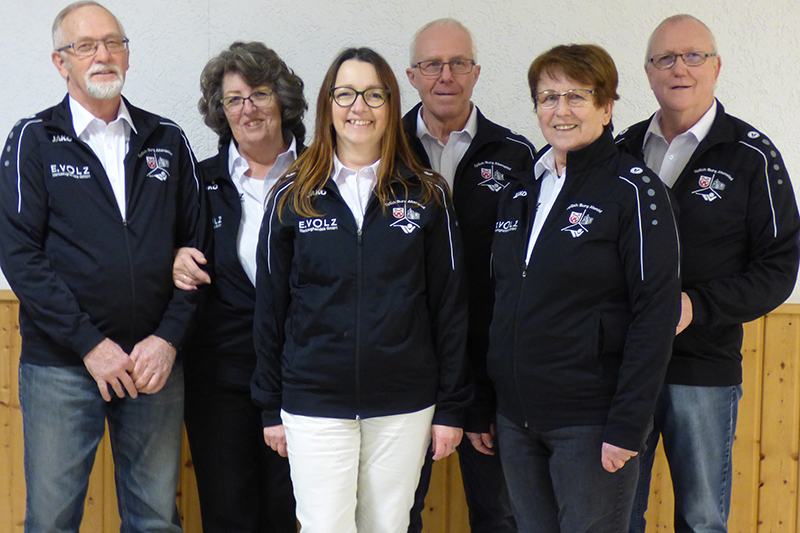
point(780, 424)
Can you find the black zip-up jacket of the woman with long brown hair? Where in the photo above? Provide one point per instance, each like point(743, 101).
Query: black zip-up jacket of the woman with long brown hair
point(361, 323)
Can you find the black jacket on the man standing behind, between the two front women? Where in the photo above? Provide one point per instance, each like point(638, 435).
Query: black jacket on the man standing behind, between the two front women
point(479, 180)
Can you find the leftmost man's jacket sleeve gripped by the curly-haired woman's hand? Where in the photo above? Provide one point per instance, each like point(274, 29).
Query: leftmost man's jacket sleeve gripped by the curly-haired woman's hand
point(191, 230)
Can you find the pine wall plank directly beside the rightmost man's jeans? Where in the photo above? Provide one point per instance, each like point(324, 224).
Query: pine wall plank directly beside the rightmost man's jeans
point(747, 444)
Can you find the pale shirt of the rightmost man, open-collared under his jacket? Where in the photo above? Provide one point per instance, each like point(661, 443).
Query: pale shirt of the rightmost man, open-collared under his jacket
point(668, 159)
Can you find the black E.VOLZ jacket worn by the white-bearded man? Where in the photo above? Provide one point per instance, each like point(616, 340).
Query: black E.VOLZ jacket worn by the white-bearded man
point(82, 273)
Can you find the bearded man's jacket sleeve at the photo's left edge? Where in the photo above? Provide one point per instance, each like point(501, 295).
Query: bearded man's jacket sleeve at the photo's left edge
point(46, 299)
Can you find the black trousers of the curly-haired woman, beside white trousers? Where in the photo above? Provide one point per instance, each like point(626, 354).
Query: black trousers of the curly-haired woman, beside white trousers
point(244, 486)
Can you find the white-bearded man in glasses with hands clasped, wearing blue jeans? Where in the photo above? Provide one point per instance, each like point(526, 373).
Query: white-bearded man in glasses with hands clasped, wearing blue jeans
point(96, 195)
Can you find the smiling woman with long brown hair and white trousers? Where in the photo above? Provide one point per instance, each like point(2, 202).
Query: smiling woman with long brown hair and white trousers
point(360, 310)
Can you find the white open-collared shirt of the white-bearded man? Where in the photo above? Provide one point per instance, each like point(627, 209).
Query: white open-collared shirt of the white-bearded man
point(109, 142)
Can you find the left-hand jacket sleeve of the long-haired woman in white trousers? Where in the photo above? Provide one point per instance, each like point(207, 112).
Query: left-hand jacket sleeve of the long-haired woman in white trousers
point(274, 257)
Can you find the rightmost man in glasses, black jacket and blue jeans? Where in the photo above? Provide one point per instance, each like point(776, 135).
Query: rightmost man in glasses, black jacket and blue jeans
point(739, 226)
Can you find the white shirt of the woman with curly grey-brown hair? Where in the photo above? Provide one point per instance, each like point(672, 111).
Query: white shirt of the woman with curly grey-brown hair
point(253, 193)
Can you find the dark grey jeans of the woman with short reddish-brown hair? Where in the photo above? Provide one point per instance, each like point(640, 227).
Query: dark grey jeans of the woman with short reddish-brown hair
point(557, 482)
